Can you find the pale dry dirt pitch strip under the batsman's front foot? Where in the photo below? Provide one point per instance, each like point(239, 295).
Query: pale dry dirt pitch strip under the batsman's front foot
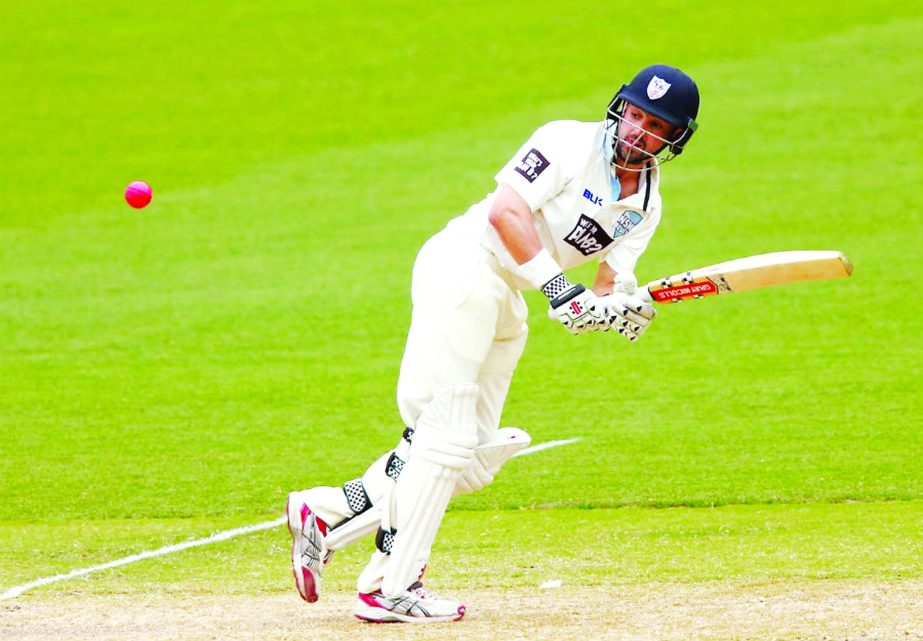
point(822, 610)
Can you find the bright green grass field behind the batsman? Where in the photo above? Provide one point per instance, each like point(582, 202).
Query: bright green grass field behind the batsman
point(172, 372)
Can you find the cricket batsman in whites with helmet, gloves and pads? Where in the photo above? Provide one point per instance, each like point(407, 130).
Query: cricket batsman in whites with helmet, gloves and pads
point(574, 192)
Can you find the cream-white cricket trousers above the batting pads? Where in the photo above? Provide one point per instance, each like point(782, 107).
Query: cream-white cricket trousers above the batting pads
point(468, 326)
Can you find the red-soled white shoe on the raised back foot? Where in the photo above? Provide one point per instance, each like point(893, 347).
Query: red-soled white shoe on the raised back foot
point(309, 550)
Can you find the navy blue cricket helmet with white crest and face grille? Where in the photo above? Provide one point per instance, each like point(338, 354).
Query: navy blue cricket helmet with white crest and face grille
point(665, 92)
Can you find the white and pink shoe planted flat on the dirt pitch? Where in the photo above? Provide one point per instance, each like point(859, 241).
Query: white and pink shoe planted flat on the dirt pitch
point(416, 605)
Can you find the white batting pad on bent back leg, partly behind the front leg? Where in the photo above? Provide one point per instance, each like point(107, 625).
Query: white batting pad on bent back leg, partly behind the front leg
point(489, 457)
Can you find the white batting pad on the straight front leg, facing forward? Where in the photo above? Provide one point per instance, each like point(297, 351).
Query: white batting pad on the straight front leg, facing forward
point(443, 446)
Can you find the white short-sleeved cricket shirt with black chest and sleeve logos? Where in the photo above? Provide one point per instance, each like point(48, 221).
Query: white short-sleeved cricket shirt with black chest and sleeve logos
point(564, 173)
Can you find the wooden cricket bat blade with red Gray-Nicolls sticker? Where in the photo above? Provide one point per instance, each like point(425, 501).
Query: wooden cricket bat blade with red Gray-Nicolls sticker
point(752, 272)
